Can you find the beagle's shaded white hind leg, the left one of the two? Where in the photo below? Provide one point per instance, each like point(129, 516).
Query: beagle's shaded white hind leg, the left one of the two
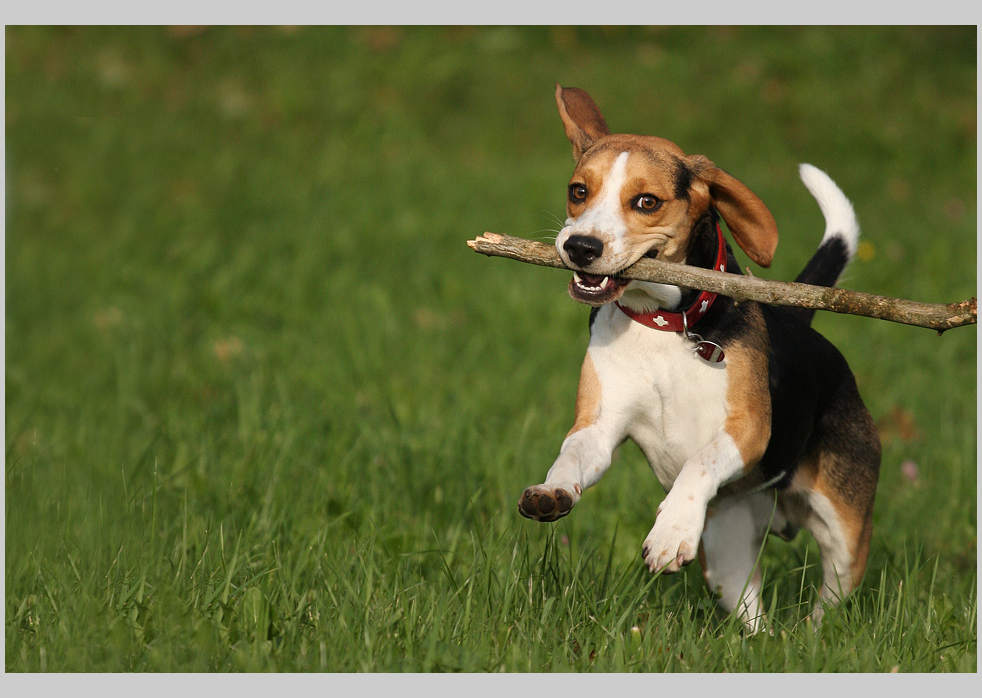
point(729, 550)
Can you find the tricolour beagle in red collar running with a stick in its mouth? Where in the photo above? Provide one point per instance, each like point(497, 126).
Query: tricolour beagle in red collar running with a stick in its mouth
point(750, 419)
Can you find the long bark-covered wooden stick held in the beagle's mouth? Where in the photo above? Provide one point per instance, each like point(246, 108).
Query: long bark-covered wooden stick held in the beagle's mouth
point(749, 288)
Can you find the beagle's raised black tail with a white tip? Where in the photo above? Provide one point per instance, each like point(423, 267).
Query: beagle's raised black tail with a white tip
point(841, 237)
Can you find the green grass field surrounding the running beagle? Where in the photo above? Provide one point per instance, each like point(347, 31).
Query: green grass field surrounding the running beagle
point(266, 411)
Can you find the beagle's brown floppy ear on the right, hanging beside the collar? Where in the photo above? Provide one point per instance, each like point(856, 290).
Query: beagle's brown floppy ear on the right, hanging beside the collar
point(750, 222)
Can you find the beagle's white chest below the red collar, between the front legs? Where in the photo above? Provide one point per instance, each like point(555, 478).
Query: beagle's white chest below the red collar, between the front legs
point(656, 390)
